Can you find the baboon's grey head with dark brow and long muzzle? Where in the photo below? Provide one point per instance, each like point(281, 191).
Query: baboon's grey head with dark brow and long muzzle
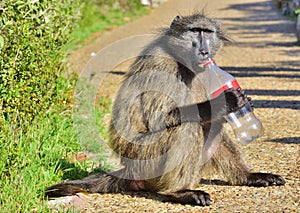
point(195, 38)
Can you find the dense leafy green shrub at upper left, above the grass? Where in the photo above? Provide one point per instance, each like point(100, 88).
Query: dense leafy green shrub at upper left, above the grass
point(31, 40)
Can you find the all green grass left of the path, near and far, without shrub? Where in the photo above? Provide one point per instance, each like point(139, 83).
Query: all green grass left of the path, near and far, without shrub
point(37, 154)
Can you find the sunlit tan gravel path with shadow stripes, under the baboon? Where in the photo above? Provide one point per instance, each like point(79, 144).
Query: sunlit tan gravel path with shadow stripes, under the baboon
point(266, 62)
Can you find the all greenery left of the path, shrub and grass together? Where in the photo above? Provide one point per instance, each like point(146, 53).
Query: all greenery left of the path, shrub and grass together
point(37, 136)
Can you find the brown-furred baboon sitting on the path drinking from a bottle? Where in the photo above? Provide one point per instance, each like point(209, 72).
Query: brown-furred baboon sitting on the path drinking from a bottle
point(164, 126)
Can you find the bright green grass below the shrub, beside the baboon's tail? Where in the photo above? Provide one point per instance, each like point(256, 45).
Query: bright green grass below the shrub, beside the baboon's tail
point(37, 156)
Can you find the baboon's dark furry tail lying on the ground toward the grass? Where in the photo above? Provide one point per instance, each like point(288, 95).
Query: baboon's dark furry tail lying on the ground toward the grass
point(99, 183)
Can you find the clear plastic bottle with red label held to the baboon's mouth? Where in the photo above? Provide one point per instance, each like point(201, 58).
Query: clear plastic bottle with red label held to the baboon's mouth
point(245, 125)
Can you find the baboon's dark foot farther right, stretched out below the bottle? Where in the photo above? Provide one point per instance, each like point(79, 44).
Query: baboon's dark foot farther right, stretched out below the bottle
point(264, 179)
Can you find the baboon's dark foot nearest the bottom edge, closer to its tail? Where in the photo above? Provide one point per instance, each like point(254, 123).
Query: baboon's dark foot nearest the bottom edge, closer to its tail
point(194, 197)
